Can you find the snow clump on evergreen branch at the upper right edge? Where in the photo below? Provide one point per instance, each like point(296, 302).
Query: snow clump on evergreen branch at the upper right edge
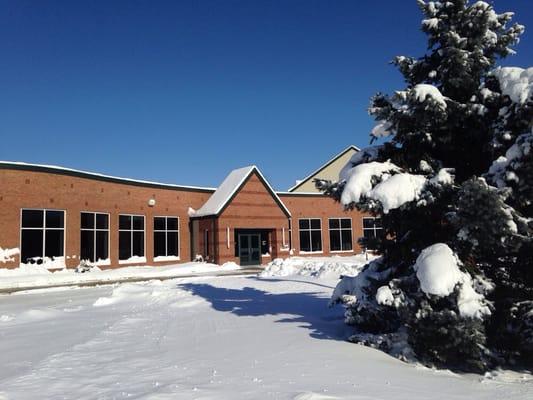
point(515, 82)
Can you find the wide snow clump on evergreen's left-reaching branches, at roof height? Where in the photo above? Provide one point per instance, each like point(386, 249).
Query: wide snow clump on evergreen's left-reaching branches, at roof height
point(385, 183)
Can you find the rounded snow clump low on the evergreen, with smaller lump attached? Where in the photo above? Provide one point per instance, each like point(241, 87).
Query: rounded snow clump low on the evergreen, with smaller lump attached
point(437, 269)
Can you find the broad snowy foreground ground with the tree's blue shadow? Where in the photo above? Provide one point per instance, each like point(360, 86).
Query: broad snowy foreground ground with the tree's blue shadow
point(210, 338)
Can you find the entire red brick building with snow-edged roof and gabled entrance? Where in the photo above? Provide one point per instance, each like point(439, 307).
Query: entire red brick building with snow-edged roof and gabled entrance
point(59, 216)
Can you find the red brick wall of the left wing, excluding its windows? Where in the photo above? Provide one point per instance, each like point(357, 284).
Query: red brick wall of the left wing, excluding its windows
point(28, 189)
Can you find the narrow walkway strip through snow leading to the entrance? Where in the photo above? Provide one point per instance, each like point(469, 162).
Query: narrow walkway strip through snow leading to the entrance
point(96, 282)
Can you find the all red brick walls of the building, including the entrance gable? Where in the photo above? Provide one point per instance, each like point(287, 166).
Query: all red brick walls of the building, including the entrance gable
point(253, 208)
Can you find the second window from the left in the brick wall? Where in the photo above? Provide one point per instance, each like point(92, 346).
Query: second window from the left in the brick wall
point(94, 240)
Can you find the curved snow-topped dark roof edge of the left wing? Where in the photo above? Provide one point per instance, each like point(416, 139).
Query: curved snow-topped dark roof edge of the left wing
point(93, 175)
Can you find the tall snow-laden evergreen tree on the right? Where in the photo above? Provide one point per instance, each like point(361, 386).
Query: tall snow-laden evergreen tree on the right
point(453, 183)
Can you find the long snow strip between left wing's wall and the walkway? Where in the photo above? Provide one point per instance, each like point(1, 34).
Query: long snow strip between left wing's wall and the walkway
point(28, 276)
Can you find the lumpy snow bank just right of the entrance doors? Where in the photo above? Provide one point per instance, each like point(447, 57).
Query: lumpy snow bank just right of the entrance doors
point(316, 267)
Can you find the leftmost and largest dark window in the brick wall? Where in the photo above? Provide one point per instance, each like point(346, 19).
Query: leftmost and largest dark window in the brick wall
point(42, 236)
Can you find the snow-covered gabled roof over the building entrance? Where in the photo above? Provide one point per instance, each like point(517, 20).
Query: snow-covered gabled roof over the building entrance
point(229, 188)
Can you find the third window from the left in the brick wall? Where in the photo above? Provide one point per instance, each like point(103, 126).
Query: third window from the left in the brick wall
point(130, 237)
